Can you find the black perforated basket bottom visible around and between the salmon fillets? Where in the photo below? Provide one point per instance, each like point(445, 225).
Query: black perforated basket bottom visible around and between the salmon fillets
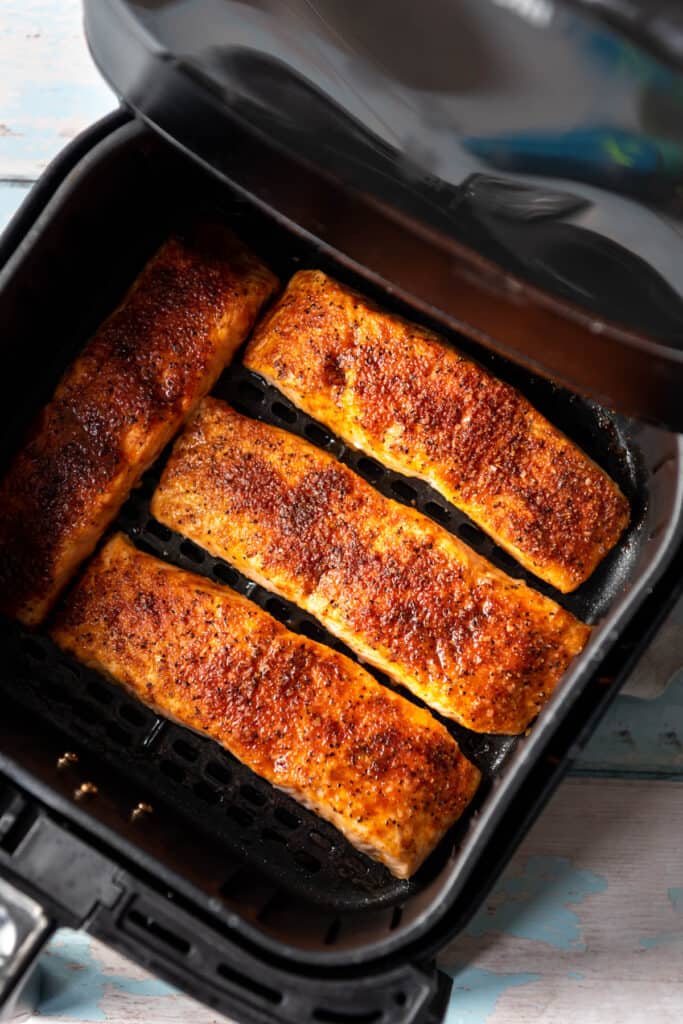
point(288, 846)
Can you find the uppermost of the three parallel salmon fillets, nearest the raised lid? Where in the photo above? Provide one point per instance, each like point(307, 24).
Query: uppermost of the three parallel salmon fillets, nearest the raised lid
point(397, 392)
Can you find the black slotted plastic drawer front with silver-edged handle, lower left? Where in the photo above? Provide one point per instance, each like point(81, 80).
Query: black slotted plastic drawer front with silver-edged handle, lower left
point(50, 877)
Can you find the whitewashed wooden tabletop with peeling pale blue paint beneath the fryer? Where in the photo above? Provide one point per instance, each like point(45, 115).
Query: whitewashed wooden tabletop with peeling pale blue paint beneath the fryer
point(587, 924)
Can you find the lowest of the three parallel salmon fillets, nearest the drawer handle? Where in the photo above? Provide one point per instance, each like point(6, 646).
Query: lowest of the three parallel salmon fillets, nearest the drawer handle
point(298, 714)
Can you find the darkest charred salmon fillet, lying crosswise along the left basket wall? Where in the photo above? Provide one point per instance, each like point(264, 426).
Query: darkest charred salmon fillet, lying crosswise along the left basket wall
point(118, 406)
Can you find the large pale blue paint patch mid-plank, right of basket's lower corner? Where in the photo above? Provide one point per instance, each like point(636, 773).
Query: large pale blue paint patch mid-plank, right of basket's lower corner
point(537, 904)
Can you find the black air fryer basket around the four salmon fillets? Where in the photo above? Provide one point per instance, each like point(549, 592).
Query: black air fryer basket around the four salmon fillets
point(223, 840)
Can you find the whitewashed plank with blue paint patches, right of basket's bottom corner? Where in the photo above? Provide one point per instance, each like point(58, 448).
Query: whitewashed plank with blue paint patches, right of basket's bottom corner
point(587, 923)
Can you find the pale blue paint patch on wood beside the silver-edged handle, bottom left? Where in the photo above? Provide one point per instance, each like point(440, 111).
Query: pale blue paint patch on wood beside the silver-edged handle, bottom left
point(73, 985)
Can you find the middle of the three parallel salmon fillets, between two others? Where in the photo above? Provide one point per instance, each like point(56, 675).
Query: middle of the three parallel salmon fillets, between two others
point(405, 594)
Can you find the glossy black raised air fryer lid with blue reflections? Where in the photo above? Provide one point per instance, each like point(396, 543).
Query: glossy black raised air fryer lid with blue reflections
point(513, 169)
